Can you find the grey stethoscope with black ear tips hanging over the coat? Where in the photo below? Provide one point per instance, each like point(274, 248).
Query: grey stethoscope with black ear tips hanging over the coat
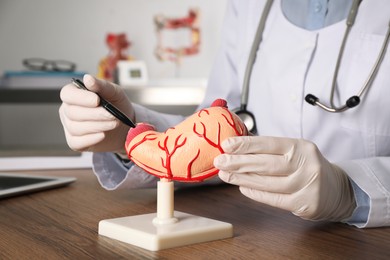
point(249, 119)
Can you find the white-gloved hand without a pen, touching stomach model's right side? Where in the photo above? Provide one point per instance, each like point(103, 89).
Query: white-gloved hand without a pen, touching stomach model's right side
point(290, 174)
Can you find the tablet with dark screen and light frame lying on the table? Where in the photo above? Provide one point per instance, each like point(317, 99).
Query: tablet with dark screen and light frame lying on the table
point(12, 184)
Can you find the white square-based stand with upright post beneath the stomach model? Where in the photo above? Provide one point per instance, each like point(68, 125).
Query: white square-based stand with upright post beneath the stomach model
point(166, 228)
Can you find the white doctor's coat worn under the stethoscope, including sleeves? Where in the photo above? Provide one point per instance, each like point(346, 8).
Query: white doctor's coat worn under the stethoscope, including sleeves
point(292, 62)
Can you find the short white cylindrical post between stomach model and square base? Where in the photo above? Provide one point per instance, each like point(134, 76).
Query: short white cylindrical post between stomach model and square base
point(165, 203)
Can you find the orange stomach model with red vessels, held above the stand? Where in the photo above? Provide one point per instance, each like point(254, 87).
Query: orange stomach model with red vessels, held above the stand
point(185, 152)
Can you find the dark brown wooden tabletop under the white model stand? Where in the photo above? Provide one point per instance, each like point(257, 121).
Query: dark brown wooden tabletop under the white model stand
point(63, 224)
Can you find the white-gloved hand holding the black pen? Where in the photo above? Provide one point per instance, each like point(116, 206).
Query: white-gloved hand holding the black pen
point(88, 126)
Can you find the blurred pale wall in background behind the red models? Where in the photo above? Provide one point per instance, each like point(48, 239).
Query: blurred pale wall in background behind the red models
point(75, 30)
